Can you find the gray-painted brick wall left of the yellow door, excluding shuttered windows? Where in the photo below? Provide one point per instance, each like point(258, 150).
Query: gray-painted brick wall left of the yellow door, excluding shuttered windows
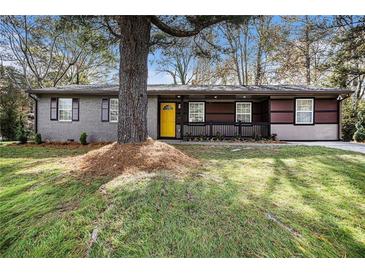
point(89, 121)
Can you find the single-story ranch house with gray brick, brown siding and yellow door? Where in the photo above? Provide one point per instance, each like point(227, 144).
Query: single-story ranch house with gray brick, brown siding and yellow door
point(180, 111)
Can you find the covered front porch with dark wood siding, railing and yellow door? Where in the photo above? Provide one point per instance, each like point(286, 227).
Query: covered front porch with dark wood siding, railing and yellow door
point(223, 116)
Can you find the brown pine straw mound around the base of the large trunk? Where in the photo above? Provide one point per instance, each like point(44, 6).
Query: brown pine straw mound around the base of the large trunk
point(116, 159)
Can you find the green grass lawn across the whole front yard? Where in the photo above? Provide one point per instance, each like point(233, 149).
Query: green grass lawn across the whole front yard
point(316, 196)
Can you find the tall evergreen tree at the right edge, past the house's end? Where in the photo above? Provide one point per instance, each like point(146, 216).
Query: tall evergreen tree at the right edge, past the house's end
point(348, 67)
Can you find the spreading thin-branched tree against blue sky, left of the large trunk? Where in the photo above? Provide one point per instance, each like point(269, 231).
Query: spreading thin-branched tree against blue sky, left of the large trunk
point(53, 50)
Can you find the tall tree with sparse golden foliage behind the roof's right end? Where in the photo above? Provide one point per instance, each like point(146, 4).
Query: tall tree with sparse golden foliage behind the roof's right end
point(304, 49)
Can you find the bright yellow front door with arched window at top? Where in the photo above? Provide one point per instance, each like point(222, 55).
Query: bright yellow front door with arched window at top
point(167, 119)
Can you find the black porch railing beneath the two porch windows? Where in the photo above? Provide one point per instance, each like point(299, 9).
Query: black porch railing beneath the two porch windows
point(229, 130)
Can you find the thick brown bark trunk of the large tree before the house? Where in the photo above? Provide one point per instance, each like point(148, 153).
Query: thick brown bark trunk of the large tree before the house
point(134, 48)
